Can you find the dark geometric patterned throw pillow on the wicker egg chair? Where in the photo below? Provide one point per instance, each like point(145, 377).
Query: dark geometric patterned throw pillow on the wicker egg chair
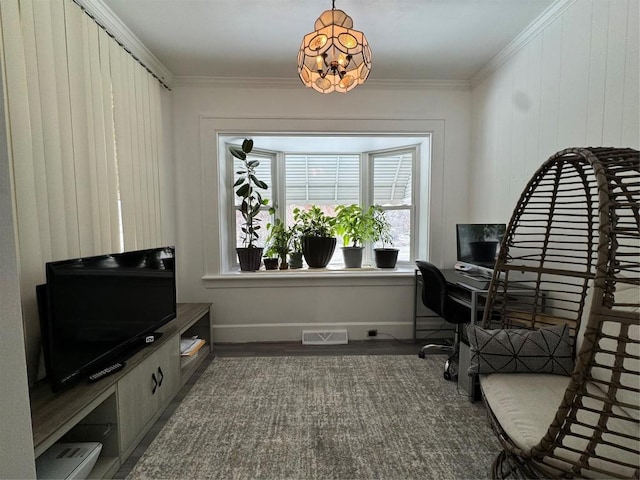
point(515, 350)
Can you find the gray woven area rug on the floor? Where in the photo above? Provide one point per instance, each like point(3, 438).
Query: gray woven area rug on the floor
point(339, 417)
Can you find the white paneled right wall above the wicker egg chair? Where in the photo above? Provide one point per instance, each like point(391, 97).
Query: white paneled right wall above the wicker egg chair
point(573, 84)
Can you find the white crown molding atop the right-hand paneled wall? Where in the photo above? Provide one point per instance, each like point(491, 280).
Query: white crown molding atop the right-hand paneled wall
point(554, 11)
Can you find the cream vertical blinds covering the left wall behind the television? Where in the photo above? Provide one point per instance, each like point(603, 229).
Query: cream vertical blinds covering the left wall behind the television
point(84, 128)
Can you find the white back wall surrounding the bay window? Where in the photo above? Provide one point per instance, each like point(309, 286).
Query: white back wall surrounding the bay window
point(280, 309)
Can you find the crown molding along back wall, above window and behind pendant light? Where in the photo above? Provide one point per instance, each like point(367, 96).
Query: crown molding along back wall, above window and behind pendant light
point(294, 82)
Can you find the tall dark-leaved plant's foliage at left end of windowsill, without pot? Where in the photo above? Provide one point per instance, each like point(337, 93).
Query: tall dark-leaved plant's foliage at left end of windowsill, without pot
point(248, 188)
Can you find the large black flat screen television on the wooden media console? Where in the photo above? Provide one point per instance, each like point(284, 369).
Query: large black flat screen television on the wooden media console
point(96, 311)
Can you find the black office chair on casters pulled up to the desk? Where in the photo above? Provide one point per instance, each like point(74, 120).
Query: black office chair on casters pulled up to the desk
point(435, 297)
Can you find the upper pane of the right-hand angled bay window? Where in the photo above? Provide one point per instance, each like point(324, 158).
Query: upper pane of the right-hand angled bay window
point(392, 178)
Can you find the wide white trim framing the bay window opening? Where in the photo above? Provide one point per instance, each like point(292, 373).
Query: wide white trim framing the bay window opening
point(213, 234)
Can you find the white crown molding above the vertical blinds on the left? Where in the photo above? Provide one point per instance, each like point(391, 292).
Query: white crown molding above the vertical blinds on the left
point(114, 26)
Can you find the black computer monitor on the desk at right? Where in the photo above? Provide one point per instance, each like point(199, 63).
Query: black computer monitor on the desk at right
point(478, 243)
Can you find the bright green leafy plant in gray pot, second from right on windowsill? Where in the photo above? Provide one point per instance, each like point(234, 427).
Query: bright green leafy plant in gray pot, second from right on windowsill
point(356, 226)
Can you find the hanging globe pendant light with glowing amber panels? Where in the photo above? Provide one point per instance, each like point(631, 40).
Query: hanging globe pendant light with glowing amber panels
point(334, 57)
